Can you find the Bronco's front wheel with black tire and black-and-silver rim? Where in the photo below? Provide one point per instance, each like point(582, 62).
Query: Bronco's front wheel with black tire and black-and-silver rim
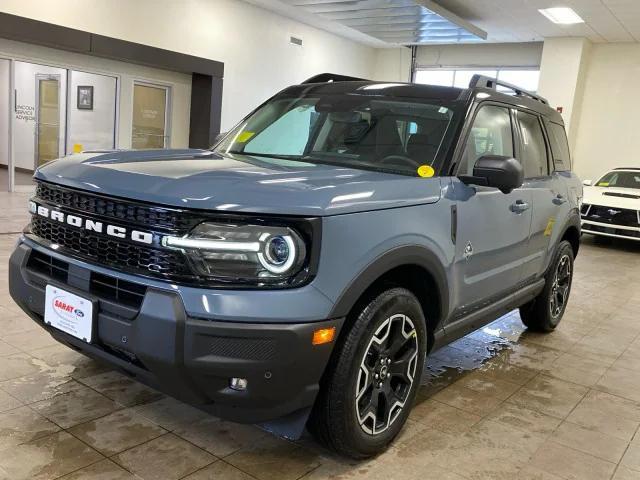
point(350, 379)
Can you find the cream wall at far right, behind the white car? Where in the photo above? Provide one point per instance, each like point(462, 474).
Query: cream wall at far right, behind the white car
point(607, 129)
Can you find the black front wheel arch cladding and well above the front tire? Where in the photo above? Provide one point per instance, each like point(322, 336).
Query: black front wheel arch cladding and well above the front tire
point(413, 267)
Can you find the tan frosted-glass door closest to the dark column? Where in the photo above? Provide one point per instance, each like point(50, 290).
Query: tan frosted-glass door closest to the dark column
point(150, 116)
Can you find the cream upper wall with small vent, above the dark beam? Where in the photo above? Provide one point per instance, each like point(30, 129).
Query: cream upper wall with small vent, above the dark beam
point(252, 42)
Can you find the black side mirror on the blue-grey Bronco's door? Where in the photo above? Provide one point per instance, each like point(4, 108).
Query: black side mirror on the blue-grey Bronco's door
point(504, 173)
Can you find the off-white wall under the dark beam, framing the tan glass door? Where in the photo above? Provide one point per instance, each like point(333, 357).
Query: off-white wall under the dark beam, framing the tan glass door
point(127, 73)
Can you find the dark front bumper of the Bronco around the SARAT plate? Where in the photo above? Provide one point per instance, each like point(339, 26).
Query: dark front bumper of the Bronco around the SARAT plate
point(189, 358)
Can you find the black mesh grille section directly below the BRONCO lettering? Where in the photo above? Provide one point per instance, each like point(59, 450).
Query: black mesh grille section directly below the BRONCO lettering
point(110, 252)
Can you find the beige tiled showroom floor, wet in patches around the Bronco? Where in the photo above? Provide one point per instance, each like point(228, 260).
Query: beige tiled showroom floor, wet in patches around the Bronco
point(500, 403)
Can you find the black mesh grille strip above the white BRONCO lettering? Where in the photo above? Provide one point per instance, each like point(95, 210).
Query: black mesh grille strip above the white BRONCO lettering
point(126, 211)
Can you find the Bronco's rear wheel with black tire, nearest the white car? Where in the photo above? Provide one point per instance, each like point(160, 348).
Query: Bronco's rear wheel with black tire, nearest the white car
point(543, 313)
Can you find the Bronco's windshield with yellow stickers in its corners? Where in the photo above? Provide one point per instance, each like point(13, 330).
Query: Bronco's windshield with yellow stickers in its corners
point(358, 131)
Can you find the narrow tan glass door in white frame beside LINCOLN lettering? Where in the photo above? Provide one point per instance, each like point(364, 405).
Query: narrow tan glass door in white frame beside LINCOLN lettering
point(47, 119)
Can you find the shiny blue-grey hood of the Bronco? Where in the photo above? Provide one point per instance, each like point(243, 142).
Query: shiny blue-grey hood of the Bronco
point(202, 179)
